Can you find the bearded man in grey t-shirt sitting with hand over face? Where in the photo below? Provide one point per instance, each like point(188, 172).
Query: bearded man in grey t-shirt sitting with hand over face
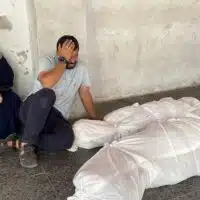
point(45, 112)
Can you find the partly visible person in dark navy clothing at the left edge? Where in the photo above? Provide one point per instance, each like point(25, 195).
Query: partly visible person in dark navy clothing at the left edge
point(9, 103)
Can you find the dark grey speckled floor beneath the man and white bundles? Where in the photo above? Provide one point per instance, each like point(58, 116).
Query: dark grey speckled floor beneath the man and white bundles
point(52, 180)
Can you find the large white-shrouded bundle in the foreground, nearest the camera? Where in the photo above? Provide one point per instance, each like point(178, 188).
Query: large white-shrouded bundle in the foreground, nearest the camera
point(162, 154)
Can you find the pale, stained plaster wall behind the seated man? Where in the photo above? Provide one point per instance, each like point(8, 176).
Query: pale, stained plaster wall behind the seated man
point(130, 47)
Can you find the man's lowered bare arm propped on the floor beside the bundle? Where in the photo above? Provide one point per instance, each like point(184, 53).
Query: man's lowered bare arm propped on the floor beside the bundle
point(87, 100)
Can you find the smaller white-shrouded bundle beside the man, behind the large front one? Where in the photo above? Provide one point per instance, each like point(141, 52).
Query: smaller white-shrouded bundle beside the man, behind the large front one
point(129, 120)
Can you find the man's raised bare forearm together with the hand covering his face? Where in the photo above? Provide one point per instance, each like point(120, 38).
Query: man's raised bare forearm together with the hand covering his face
point(49, 78)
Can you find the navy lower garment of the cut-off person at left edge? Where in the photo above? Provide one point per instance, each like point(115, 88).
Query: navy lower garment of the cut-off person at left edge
point(9, 114)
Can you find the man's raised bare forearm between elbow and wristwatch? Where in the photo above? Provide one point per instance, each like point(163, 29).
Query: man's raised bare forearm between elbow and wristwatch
point(50, 78)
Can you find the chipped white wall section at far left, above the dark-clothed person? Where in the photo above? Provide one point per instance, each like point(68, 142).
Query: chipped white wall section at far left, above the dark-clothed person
point(18, 41)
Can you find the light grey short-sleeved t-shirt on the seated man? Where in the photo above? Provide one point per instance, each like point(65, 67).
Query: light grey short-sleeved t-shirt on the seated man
point(67, 87)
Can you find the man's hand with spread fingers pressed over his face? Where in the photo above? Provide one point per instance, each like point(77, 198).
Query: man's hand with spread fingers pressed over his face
point(66, 50)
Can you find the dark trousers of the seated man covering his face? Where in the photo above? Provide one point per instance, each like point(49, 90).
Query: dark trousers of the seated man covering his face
point(43, 125)
